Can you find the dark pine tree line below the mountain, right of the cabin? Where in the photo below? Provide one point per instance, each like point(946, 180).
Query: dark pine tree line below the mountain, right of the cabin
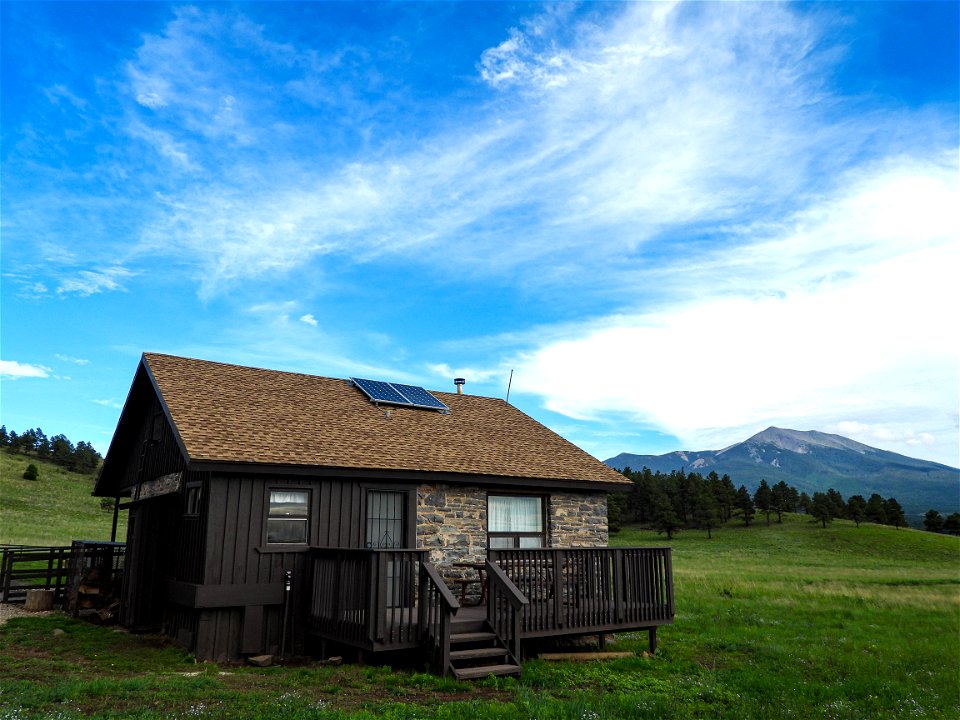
point(669, 502)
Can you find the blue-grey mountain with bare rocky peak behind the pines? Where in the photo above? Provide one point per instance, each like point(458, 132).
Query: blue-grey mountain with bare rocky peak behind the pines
point(814, 461)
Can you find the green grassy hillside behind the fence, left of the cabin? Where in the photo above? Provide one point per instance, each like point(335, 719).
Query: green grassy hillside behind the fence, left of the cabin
point(53, 510)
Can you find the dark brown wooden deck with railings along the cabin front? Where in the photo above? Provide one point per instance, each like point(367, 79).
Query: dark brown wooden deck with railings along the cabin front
point(385, 600)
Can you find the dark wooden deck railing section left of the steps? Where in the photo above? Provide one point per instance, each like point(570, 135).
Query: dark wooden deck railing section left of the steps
point(366, 597)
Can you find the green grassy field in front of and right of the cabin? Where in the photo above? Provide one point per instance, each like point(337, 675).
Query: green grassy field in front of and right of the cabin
point(790, 621)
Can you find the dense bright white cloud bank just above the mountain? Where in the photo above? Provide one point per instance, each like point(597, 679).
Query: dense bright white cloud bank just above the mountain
point(839, 314)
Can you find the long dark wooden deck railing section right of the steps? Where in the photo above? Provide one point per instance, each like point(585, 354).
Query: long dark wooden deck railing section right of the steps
point(586, 589)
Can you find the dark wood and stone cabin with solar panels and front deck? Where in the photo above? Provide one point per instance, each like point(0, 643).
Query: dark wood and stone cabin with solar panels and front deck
point(284, 514)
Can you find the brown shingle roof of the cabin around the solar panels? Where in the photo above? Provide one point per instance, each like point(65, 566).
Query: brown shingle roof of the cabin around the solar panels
point(229, 413)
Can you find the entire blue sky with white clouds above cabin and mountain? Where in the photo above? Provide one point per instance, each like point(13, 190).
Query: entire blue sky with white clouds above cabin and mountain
point(676, 223)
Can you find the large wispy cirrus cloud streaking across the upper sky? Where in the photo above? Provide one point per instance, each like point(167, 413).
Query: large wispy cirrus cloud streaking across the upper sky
point(653, 123)
